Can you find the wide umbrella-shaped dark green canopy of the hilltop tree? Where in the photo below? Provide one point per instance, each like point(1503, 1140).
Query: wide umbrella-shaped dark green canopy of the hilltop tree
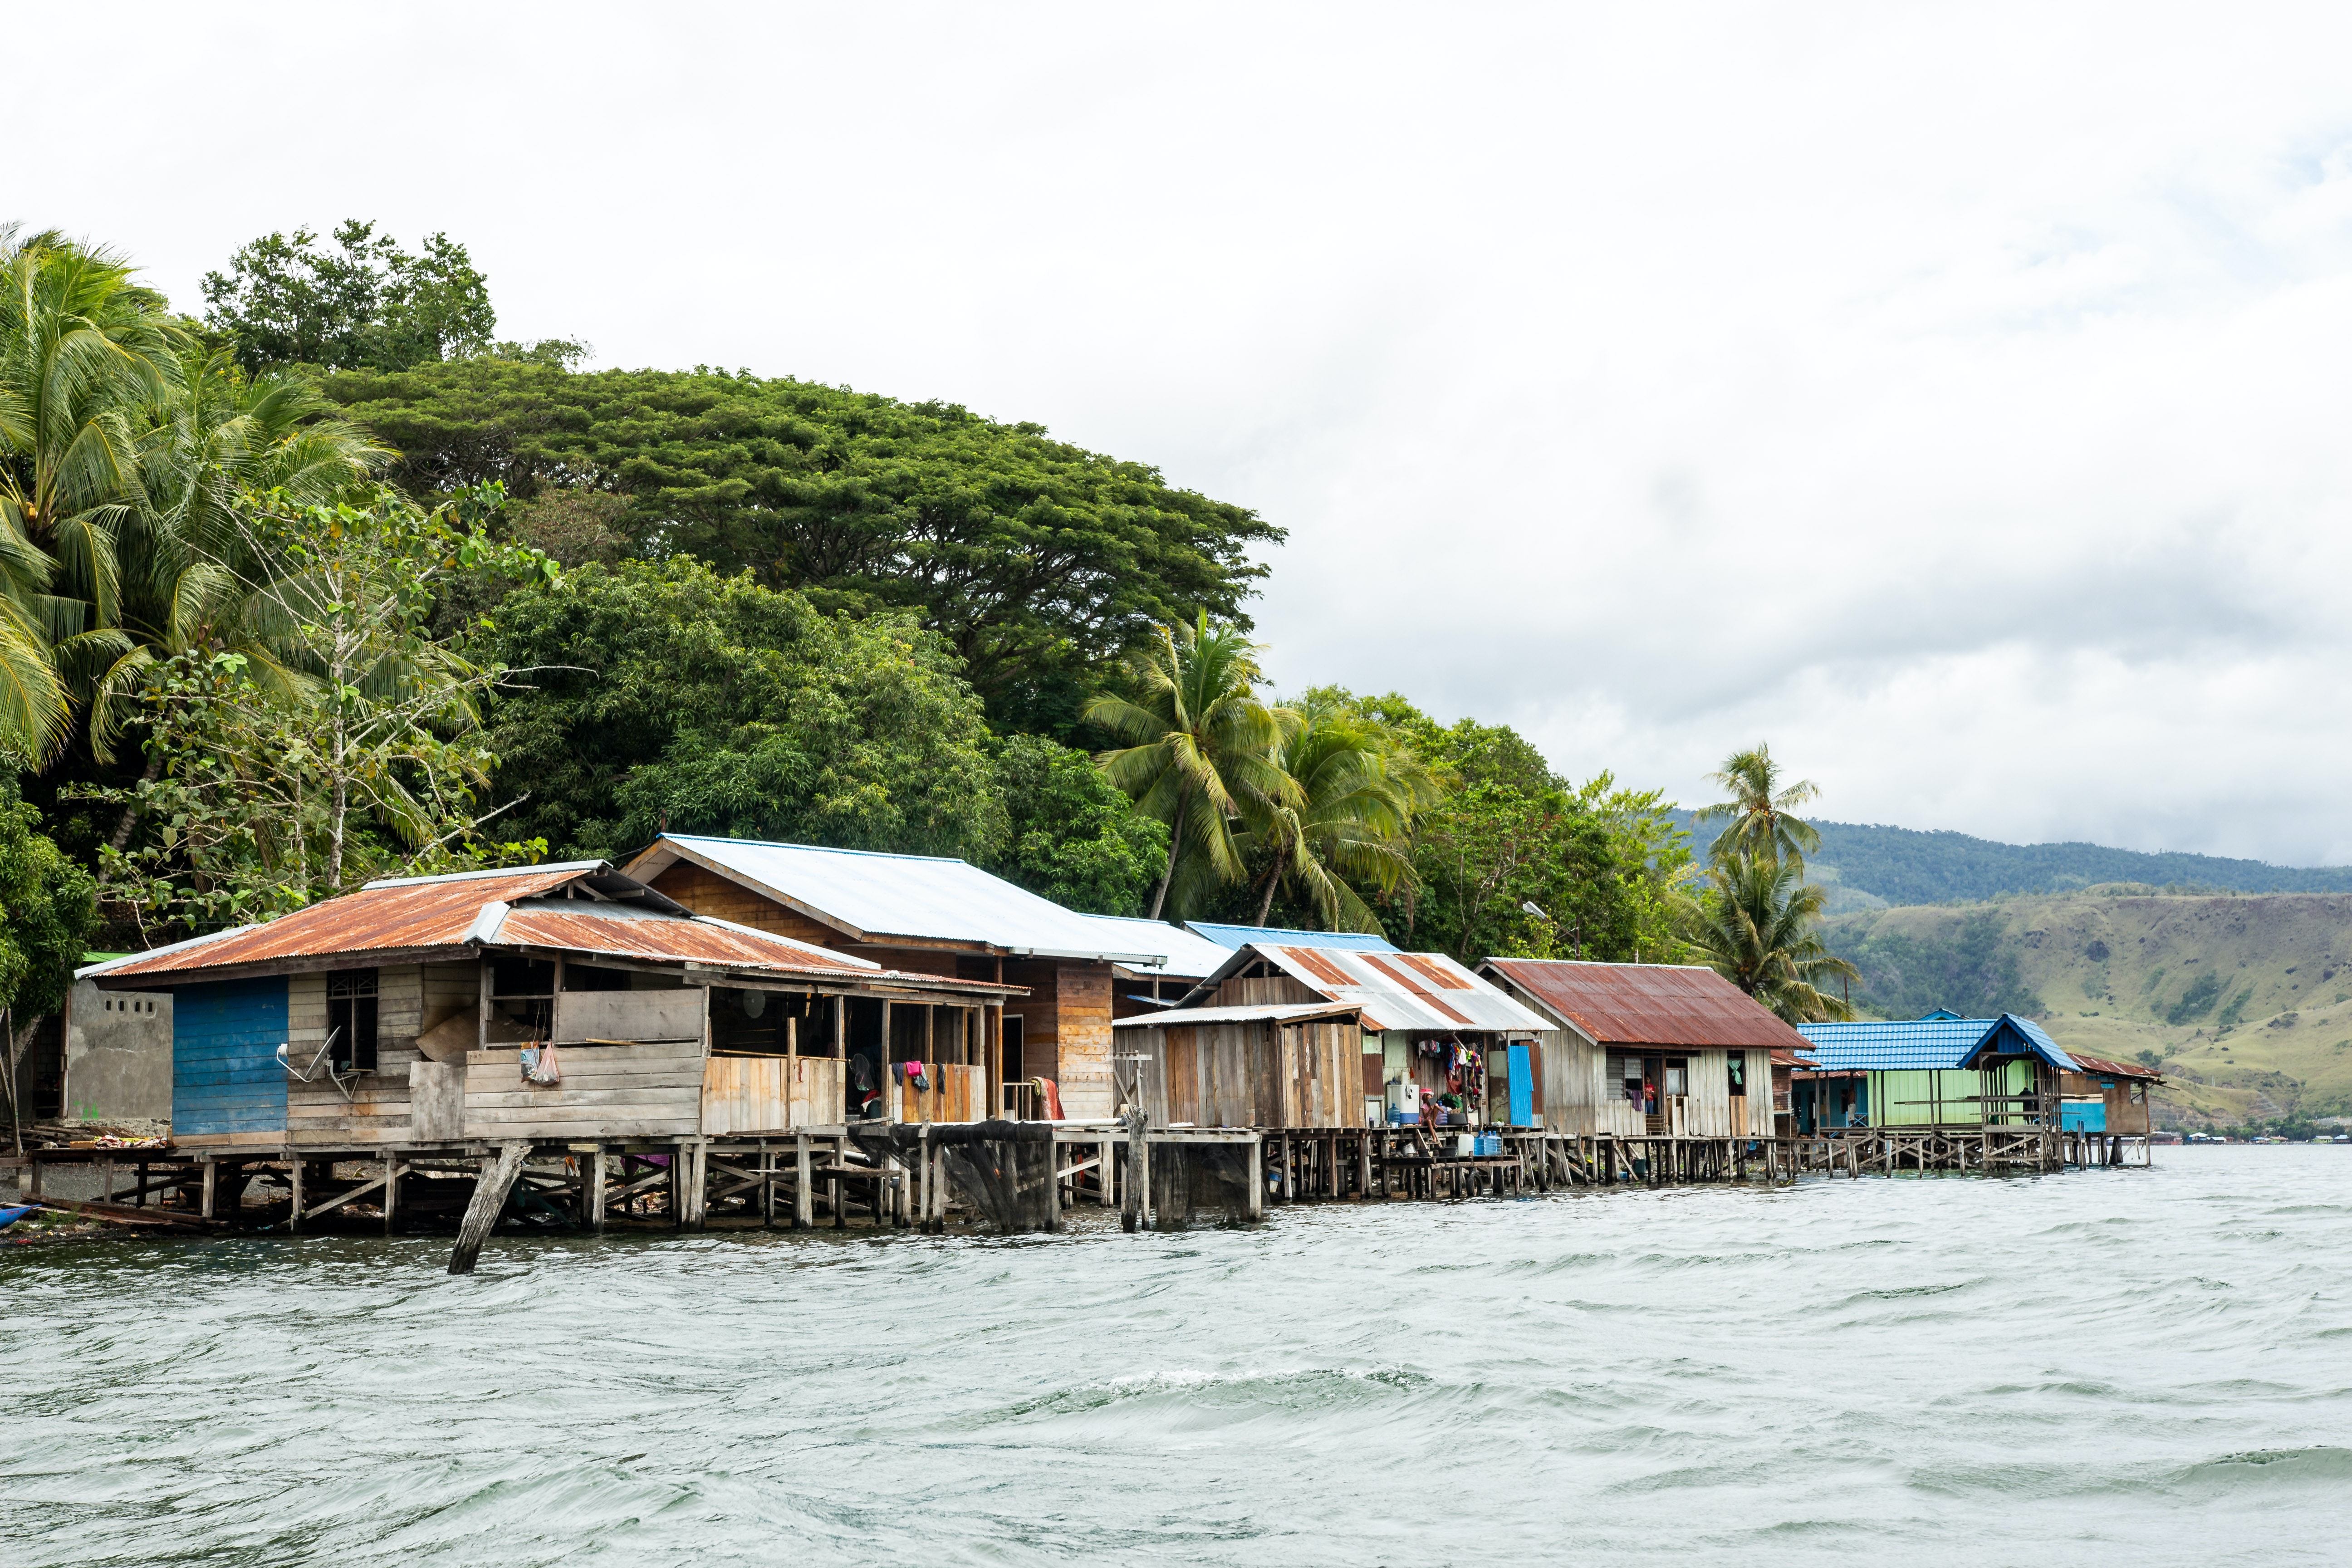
point(1036, 561)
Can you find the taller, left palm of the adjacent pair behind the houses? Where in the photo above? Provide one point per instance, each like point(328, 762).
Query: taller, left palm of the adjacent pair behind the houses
point(1201, 751)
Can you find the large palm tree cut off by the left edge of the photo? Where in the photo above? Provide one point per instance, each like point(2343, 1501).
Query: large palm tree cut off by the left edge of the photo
point(81, 351)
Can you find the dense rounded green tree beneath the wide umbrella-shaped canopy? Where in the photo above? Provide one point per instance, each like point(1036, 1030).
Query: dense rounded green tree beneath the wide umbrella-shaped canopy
point(671, 697)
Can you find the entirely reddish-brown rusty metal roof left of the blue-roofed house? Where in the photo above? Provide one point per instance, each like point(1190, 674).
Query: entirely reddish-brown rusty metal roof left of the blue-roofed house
point(1650, 1005)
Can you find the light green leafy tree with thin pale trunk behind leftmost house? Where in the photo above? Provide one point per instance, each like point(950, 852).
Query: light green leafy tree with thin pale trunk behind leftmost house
point(338, 744)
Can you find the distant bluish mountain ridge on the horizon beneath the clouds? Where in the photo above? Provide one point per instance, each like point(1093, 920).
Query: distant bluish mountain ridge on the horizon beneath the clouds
point(1904, 866)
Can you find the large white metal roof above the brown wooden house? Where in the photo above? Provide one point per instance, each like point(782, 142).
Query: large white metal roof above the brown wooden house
point(881, 897)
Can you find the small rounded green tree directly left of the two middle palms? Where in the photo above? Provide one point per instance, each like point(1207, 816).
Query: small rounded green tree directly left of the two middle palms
point(1071, 833)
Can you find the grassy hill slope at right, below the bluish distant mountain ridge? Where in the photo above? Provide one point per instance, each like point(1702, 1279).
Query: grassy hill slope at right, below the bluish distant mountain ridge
point(2245, 998)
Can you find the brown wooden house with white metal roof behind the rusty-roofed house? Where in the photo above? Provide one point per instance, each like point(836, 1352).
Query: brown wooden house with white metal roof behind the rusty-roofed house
point(942, 918)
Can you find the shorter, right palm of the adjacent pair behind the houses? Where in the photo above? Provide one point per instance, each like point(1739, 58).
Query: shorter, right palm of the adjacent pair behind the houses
point(1358, 793)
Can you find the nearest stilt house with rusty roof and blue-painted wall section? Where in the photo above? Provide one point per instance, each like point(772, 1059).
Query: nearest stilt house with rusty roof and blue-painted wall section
point(547, 1003)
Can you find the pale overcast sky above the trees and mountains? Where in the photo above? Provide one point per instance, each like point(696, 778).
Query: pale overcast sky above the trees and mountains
point(1951, 396)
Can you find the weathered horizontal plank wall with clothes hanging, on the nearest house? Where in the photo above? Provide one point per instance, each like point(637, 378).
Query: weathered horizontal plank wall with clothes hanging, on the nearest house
point(608, 1092)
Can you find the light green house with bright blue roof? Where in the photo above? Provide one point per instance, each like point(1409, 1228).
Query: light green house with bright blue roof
point(1930, 1073)
